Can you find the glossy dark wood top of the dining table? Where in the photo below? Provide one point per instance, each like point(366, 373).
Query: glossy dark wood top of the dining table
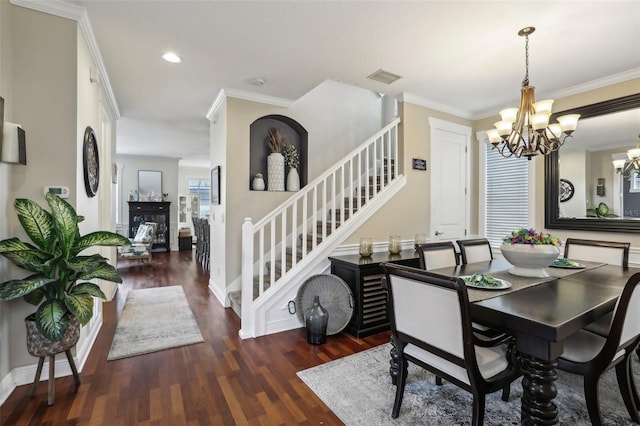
point(542, 316)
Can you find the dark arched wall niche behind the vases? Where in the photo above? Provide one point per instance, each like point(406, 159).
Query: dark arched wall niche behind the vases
point(292, 132)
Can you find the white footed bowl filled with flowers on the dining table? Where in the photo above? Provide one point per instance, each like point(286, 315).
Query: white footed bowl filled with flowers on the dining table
point(530, 252)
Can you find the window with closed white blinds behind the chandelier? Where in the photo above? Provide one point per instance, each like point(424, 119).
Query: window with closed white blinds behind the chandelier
point(507, 194)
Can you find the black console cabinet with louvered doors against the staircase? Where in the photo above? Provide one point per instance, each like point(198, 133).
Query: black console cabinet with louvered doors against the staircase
point(364, 276)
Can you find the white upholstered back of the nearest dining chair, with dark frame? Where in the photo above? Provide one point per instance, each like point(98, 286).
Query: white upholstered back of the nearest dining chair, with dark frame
point(431, 312)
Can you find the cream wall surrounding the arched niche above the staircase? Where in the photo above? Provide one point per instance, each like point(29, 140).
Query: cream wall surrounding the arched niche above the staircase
point(337, 117)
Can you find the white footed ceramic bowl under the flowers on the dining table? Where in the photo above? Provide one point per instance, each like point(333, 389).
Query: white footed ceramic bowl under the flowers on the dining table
point(530, 260)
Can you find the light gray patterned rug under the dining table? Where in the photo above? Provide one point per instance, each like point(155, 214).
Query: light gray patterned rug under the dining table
point(358, 390)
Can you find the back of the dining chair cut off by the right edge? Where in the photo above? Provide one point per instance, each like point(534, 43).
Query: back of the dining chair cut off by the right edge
point(625, 326)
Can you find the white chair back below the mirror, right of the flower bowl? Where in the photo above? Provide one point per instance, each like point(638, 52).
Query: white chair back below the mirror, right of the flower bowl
point(611, 252)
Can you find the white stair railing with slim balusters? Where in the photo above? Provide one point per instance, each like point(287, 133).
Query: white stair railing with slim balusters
point(314, 211)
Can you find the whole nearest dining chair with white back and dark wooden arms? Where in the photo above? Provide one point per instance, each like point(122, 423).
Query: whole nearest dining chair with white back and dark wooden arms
point(431, 328)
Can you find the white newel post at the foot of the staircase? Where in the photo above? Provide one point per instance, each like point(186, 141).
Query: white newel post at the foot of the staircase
point(247, 326)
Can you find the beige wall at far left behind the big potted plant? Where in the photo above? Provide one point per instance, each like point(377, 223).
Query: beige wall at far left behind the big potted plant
point(45, 62)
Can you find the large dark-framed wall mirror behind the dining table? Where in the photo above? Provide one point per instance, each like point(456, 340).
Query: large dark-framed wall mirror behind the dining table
point(583, 191)
